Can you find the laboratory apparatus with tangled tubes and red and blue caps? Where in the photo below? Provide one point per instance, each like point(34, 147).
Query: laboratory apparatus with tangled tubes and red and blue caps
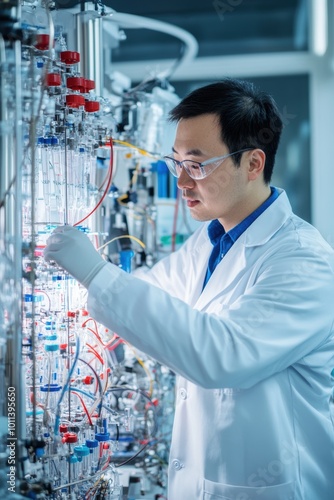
point(80, 409)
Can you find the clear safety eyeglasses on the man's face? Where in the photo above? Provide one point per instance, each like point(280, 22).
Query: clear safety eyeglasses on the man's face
point(195, 169)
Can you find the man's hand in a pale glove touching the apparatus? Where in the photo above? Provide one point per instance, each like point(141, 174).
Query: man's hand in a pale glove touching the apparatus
point(72, 250)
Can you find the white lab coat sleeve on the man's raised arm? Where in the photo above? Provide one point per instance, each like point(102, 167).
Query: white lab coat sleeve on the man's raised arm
point(283, 316)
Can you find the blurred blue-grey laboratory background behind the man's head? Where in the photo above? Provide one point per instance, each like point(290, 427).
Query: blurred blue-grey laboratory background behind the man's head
point(284, 46)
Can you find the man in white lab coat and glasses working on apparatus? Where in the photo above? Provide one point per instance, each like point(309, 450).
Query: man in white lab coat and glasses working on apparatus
point(243, 312)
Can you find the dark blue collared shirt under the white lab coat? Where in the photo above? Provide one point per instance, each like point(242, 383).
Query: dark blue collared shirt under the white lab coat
point(223, 241)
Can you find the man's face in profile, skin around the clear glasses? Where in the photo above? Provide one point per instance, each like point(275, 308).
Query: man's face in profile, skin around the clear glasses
point(223, 194)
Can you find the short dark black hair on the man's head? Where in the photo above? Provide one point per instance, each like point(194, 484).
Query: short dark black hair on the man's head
point(248, 117)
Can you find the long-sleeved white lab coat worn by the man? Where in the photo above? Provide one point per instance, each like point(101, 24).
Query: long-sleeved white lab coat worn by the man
point(254, 354)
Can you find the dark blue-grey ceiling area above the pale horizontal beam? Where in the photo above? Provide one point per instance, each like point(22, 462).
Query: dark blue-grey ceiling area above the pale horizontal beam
point(221, 27)
